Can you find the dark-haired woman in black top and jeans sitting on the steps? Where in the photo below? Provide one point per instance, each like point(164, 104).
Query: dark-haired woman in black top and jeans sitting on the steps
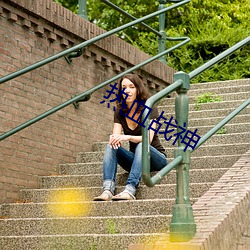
point(132, 92)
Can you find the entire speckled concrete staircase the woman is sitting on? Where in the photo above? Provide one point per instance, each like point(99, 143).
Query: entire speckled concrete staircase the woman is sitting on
point(62, 215)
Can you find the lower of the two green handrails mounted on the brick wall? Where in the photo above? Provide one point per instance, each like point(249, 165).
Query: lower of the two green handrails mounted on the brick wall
point(86, 95)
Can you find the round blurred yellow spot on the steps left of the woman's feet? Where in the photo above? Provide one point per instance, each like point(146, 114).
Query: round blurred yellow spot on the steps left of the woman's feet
point(68, 203)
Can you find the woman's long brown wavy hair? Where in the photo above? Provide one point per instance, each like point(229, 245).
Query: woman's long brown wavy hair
point(141, 93)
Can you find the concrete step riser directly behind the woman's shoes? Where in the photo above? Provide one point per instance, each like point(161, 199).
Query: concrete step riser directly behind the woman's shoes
point(87, 193)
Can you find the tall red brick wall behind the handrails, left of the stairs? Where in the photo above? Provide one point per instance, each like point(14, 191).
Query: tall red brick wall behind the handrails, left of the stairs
point(29, 32)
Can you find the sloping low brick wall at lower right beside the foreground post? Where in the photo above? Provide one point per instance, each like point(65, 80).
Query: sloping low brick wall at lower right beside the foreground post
point(222, 214)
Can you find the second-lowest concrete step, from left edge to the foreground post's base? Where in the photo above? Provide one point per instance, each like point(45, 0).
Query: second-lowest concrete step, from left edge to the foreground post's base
point(86, 225)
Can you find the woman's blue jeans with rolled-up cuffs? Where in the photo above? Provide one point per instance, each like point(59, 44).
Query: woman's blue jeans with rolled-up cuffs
point(132, 163)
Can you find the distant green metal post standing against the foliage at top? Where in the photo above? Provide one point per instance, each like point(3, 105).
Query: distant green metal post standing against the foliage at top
point(163, 37)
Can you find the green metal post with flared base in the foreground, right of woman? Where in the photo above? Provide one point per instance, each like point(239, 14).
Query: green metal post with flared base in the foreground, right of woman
point(182, 227)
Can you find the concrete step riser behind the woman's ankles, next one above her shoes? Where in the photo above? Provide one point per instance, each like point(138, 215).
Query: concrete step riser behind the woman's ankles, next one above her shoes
point(66, 181)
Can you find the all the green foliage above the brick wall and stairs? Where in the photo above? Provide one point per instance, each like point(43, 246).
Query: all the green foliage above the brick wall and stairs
point(213, 27)
